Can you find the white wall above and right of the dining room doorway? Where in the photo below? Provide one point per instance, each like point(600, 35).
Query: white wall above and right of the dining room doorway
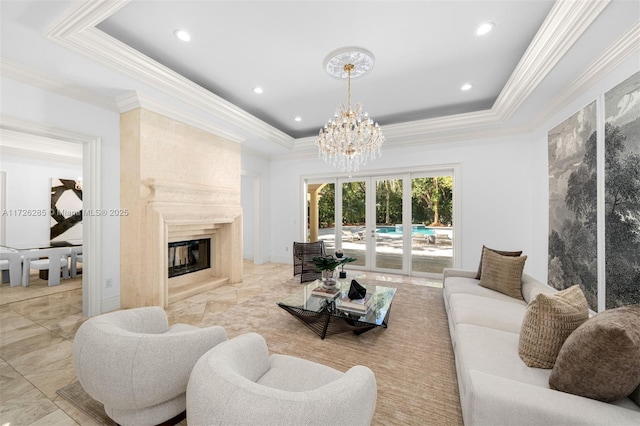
point(46, 108)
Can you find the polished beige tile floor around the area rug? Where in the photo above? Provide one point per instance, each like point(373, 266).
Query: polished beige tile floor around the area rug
point(37, 327)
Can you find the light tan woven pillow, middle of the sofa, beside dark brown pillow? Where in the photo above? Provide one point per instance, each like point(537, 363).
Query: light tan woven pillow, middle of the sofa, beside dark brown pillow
point(549, 320)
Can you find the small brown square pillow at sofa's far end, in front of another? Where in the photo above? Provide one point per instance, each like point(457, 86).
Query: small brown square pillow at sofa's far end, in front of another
point(502, 273)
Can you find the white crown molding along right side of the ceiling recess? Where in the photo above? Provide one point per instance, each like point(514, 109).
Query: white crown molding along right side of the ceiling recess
point(566, 22)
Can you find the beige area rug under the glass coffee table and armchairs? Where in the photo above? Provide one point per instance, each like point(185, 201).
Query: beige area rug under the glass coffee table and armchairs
point(412, 359)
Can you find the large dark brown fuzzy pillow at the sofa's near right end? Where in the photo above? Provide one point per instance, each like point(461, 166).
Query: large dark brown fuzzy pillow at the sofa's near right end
point(601, 359)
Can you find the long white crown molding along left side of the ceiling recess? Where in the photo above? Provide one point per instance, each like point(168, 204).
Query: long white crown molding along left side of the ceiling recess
point(76, 31)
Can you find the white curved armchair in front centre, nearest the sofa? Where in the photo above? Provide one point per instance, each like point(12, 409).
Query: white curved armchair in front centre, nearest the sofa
point(238, 383)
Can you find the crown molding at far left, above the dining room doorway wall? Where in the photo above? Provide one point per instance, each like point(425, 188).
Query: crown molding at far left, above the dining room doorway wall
point(27, 75)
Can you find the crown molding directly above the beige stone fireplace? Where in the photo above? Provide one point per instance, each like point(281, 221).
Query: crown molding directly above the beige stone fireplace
point(132, 100)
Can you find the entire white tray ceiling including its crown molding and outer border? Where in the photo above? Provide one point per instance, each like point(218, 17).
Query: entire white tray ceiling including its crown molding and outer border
point(424, 51)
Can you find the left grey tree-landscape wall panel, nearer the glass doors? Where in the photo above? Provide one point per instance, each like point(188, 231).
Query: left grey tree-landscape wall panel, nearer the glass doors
point(573, 204)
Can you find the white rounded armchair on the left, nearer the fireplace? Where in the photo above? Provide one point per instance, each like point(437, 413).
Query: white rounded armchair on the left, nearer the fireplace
point(136, 365)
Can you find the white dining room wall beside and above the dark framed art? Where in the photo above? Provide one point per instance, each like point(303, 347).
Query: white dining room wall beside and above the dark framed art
point(28, 186)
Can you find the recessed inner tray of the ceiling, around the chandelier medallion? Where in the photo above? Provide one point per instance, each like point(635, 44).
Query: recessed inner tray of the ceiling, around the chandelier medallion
point(424, 52)
